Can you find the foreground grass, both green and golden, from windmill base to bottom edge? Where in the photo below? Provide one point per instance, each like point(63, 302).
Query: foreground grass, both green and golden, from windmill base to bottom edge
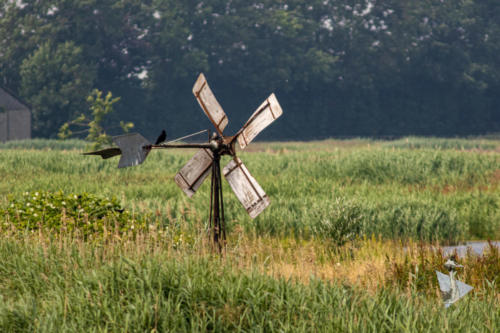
point(151, 282)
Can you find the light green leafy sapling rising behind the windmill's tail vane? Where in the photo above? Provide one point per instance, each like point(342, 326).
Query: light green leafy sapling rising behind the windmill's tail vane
point(100, 107)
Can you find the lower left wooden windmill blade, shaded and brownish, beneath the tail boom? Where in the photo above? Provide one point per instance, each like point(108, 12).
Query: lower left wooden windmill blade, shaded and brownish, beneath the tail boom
point(192, 175)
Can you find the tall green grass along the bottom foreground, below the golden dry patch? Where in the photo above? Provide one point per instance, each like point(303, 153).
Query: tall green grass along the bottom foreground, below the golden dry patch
point(49, 288)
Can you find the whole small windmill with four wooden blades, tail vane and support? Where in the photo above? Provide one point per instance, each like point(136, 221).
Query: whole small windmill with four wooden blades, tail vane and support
point(134, 149)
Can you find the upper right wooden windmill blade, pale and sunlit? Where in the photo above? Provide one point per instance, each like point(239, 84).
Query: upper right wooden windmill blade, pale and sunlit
point(267, 112)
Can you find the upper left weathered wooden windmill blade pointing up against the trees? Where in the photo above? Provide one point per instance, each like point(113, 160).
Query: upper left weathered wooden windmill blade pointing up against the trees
point(209, 104)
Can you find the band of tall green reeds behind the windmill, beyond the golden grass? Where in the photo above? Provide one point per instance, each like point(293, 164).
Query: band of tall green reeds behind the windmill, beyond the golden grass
point(421, 194)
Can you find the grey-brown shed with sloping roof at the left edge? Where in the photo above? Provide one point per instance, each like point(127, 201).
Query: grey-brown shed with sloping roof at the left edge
point(15, 117)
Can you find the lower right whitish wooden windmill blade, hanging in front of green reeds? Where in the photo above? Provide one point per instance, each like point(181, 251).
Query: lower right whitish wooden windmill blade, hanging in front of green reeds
point(245, 187)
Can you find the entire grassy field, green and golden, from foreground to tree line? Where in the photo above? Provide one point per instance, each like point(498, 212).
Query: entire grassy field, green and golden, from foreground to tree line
point(342, 247)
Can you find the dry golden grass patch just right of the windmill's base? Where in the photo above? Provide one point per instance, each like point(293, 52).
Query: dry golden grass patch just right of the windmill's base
point(363, 265)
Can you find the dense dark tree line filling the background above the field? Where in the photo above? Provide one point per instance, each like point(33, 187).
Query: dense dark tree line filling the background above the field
point(338, 67)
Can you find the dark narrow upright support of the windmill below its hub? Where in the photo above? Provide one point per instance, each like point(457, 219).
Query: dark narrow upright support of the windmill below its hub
point(217, 223)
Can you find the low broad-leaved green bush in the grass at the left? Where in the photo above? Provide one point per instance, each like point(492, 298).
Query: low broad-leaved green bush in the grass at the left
point(57, 211)
